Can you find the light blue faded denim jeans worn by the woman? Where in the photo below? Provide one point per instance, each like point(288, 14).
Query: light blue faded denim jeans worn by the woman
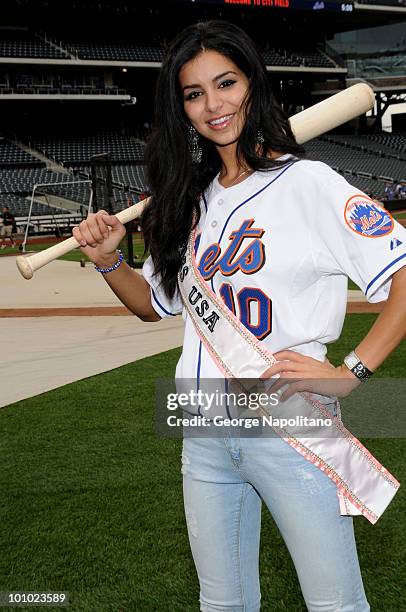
point(225, 480)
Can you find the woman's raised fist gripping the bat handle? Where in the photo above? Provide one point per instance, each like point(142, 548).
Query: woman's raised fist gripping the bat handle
point(99, 236)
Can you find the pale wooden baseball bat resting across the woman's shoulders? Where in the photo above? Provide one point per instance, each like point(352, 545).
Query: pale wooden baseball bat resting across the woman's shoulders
point(308, 124)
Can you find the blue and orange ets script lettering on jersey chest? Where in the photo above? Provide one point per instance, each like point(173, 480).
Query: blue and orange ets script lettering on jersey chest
point(249, 261)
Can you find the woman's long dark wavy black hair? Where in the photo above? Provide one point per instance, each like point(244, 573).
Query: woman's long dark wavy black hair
point(176, 182)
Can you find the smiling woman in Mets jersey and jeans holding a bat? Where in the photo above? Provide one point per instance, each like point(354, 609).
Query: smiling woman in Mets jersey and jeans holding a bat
point(274, 238)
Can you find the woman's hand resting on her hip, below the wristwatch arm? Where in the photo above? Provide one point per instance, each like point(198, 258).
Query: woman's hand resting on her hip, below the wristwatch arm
point(302, 373)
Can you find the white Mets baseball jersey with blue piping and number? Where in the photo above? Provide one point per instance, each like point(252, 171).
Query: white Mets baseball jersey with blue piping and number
point(278, 249)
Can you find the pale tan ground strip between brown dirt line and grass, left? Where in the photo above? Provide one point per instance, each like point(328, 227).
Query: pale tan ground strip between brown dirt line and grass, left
point(43, 353)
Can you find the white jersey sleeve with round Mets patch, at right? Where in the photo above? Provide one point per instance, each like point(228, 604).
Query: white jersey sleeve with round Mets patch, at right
point(356, 235)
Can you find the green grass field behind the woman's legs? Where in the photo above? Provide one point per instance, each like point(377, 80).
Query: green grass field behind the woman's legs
point(91, 500)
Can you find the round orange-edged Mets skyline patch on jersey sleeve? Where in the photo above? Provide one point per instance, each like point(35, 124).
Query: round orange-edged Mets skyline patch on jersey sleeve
point(367, 218)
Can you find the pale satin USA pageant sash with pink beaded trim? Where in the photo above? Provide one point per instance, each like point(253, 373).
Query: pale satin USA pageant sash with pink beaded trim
point(364, 486)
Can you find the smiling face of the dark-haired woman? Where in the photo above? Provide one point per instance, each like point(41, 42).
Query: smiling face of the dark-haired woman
point(213, 90)
